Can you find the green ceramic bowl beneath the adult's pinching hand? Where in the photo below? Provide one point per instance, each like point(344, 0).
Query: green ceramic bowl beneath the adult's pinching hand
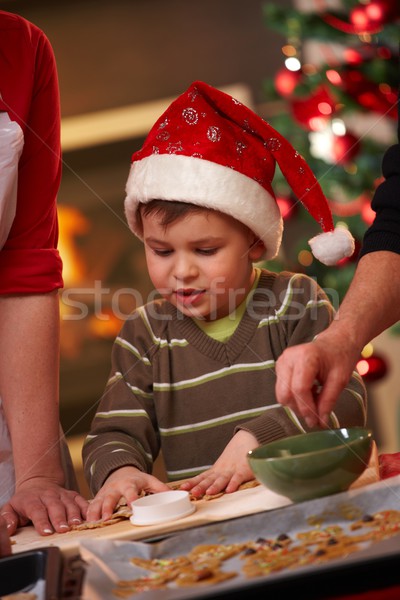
point(312, 465)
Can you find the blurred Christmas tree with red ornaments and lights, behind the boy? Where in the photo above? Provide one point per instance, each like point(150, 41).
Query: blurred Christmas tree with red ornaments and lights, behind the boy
point(336, 94)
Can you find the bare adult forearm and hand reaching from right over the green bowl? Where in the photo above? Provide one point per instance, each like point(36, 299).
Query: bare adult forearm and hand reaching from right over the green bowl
point(369, 307)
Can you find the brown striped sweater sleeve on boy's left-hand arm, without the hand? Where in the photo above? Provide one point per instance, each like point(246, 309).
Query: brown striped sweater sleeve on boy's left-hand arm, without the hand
point(124, 430)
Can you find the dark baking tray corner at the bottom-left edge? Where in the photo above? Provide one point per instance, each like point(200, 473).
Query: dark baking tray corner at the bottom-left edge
point(35, 571)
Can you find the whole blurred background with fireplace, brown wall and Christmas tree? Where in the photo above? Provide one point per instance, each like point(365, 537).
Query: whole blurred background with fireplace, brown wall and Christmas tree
point(323, 72)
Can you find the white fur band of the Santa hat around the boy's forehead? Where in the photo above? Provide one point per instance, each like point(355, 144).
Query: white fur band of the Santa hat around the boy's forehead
point(204, 183)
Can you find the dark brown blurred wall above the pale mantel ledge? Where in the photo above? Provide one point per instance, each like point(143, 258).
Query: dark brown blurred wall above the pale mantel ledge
point(127, 51)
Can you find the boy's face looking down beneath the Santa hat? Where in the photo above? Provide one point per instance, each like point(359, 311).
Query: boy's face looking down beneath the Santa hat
point(202, 263)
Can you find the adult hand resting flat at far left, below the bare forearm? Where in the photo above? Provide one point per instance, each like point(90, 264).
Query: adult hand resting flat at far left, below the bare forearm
point(49, 507)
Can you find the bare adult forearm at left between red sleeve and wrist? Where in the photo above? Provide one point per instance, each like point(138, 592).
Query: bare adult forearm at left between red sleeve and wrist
point(29, 358)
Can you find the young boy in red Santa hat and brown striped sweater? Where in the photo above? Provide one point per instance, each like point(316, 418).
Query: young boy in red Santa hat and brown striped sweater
point(193, 373)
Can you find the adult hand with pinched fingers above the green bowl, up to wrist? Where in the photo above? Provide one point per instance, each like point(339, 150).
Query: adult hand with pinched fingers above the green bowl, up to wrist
point(311, 376)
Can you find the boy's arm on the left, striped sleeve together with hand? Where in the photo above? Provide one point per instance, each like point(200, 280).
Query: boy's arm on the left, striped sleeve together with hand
point(123, 441)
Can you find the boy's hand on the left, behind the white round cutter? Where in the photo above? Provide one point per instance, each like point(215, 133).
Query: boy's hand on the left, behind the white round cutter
point(127, 482)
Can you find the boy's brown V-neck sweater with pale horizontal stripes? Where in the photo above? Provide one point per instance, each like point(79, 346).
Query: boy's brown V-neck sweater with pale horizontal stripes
point(175, 389)
